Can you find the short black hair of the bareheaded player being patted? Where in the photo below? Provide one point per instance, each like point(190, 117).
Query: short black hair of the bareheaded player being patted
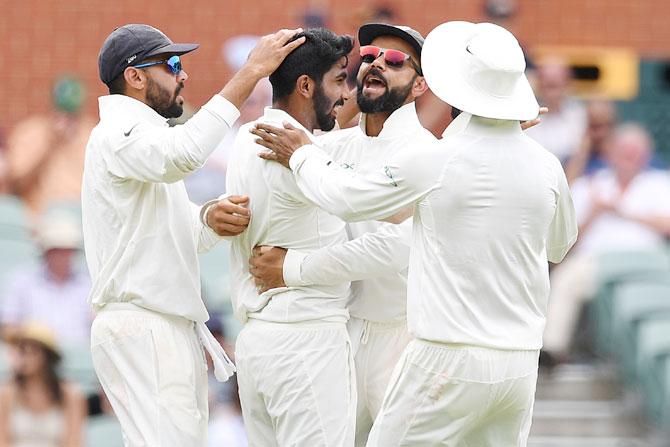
point(321, 50)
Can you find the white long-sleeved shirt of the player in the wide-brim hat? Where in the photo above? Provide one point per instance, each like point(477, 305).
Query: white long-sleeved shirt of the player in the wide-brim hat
point(492, 206)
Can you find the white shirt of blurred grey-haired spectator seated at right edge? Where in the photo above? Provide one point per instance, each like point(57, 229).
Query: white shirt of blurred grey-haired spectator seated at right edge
point(647, 195)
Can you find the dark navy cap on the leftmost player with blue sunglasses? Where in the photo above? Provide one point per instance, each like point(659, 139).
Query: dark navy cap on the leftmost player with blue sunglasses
point(131, 44)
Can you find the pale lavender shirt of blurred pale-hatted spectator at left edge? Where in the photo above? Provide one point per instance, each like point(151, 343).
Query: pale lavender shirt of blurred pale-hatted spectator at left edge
point(33, 295)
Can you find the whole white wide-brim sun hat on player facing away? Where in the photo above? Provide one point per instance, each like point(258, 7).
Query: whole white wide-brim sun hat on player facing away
point(479, 68)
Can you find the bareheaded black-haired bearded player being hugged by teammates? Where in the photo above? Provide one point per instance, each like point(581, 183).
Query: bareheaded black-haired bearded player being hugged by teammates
point(294, 357)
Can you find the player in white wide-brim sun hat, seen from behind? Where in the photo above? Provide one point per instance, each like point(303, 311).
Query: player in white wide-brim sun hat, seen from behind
point(491, 208)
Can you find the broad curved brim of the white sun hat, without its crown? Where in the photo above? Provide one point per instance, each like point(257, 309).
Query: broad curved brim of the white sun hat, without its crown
point(441, 61)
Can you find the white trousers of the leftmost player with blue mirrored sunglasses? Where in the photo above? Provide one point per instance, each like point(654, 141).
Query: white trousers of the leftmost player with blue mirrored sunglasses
point(153, 369)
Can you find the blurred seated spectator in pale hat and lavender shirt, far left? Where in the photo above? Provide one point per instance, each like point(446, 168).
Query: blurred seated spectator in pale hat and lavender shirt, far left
point(55, 292)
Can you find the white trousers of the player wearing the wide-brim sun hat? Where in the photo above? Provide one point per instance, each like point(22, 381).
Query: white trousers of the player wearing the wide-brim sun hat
point(457, 396)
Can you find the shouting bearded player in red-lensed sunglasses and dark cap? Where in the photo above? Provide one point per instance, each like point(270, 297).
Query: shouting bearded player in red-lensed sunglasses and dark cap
point(377, 255)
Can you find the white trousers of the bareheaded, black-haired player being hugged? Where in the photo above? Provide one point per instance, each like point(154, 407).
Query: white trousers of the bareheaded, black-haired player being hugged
point(297, 385)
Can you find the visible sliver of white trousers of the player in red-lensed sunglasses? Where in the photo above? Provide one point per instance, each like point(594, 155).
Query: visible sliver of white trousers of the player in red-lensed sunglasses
point(378, 346)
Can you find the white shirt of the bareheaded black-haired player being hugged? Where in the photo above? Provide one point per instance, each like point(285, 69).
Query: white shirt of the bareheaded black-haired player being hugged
point(281, 216)
